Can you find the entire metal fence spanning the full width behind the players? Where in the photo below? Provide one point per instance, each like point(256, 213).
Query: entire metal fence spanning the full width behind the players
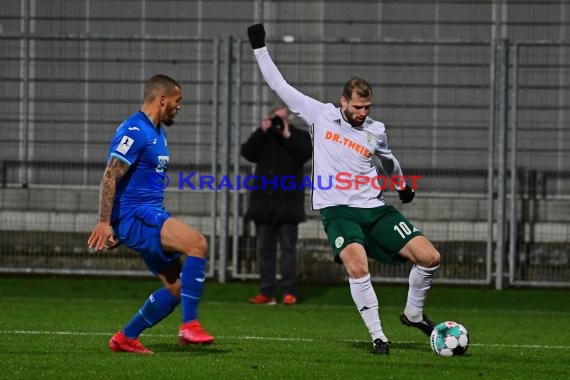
point(482, 122)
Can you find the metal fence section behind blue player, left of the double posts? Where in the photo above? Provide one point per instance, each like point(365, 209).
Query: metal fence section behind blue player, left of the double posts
point(72, 92)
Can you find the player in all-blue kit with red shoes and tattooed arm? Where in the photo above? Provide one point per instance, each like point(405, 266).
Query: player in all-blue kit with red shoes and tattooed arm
point(131, 213)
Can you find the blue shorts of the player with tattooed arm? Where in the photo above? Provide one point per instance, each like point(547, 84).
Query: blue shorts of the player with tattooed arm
point(140, 230)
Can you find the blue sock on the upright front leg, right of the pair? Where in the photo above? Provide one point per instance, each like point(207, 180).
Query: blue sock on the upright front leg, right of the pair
point(192, 281)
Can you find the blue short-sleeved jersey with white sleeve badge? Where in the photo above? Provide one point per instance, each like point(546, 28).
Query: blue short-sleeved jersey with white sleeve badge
point(142, 146)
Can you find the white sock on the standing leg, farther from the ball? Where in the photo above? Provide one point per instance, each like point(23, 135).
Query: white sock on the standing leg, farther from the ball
point(367, 304)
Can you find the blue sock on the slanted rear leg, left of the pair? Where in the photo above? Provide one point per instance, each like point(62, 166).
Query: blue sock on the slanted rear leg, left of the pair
point(158, 306)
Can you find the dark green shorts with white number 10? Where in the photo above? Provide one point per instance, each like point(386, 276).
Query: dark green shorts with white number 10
point(382, 231)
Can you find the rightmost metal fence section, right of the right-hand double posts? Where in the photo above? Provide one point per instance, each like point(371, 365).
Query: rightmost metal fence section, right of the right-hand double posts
point(540, 204)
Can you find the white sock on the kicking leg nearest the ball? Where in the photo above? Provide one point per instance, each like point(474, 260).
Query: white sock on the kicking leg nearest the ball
point(420, 281)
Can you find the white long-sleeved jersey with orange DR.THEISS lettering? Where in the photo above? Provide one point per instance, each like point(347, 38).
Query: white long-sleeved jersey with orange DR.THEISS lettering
point(346, 159)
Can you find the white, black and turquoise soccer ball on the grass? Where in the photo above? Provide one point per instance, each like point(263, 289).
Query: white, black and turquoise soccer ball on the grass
point(449, 338)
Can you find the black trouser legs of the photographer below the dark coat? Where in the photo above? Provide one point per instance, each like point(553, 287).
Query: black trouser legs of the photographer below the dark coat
point(268, 236)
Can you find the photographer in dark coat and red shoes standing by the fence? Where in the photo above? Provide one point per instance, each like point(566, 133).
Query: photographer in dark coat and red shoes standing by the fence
point(279, 150)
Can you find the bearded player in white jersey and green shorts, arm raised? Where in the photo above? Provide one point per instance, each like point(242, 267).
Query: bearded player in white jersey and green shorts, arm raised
point(348, 144)
